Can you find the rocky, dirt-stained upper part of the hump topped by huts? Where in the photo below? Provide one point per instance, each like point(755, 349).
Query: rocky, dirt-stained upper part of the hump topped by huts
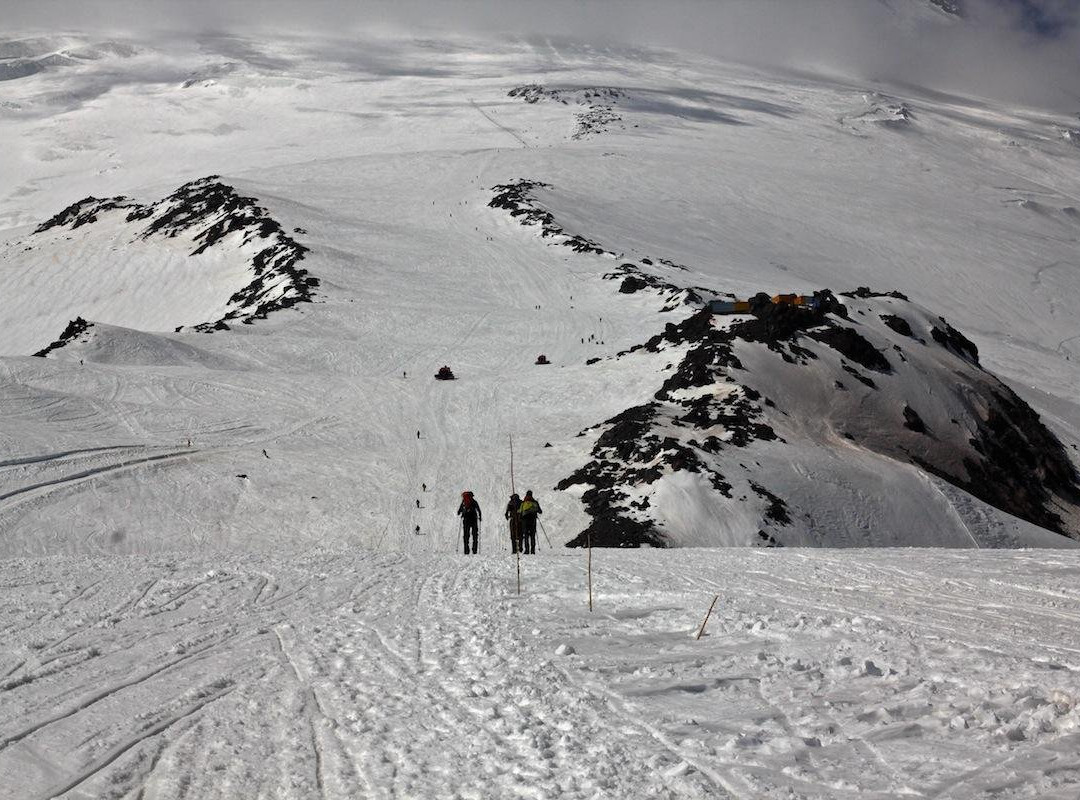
point(880, 367)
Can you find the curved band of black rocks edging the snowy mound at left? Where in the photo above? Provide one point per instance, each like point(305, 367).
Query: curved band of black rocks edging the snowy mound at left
point(213, 214)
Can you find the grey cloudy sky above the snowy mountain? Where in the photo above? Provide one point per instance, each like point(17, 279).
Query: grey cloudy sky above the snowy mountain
point(1025, 51)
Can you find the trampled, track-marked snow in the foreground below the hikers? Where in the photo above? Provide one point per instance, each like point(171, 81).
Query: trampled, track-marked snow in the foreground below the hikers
point(335, 674)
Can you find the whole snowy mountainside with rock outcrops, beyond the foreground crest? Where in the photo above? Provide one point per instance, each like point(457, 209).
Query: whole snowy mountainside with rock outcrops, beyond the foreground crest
point(409, 173)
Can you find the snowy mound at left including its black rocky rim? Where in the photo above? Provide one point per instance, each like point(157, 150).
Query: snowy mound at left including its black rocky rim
point(205, 257)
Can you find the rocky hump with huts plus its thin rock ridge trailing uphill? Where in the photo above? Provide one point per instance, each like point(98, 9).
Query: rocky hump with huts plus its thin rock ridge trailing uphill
point(751, 403)
